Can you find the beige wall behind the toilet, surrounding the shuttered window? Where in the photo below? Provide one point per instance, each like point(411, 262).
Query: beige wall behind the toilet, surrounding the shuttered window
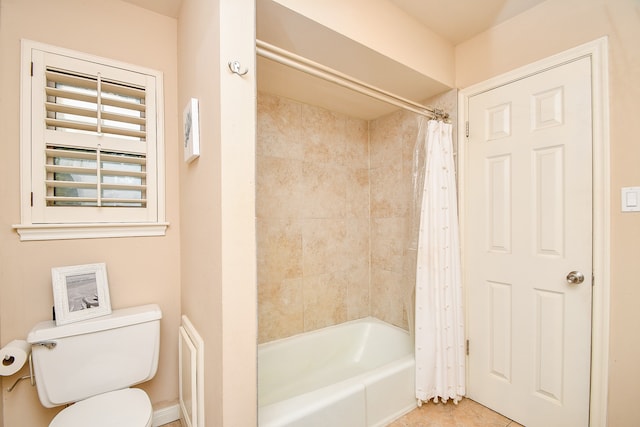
point(140, 270)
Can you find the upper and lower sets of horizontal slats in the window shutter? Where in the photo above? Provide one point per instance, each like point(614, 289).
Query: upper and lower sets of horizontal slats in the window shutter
point(81, 176)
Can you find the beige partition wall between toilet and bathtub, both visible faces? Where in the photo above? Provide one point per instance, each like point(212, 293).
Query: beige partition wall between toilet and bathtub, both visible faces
point(217, 198)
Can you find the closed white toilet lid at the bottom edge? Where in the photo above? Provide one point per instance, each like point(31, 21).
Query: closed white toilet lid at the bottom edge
point(129, 407)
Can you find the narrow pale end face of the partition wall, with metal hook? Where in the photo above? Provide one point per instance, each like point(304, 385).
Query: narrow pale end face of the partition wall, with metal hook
point(238, 154)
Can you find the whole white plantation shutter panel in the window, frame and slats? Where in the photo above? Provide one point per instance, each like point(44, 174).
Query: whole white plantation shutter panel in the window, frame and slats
point(92, 128)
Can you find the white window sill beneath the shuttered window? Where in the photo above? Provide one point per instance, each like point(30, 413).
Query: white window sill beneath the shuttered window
point(31, 232)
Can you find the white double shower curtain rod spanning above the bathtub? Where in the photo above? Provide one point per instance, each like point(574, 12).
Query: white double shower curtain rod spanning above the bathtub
point(305, 65)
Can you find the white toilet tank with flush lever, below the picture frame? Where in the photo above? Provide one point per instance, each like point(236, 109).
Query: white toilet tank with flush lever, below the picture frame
point(78, 360)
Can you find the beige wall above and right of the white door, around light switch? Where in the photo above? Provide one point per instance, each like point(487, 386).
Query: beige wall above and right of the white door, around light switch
point(552, 27)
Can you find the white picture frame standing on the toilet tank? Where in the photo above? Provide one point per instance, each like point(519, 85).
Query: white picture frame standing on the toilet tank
point(80, 292)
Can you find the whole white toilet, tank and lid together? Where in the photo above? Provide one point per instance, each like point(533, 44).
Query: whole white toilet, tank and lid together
point(93, 363)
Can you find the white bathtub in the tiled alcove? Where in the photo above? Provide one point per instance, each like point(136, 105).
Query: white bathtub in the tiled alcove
point(359, 373)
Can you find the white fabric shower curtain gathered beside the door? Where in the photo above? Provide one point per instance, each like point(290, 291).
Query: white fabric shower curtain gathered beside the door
point(439, 323)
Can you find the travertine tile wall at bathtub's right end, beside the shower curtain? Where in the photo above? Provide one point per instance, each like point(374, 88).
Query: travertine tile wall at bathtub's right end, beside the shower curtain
point(392, 139)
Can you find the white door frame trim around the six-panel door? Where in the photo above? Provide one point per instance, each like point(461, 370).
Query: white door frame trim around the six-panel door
point(600, 313)
